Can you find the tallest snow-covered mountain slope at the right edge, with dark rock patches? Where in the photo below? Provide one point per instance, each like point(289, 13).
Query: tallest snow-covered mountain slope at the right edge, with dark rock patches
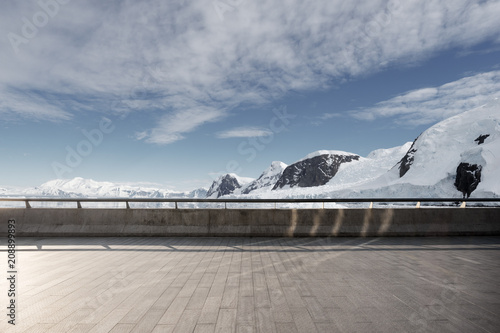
point(468, 143)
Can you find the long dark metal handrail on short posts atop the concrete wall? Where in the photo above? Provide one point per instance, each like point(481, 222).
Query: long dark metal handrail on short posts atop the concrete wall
point(127, 201)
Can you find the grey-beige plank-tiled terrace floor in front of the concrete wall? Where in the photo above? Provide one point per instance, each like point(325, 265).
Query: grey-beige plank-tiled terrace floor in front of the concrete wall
point(255, 285)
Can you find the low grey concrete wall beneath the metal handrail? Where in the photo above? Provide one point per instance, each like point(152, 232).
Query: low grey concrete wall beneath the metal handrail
point(44, 222)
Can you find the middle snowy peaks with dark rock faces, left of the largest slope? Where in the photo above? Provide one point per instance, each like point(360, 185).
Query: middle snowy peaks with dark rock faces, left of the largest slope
point(310, 176)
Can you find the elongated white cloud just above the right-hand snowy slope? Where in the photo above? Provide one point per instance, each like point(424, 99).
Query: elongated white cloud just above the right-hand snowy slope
point(427, 105)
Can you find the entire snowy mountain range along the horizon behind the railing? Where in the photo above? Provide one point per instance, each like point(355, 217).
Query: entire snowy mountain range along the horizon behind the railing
point(459, 156)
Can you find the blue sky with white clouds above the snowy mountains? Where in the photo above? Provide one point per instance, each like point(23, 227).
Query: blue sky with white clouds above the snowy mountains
point(178, 92)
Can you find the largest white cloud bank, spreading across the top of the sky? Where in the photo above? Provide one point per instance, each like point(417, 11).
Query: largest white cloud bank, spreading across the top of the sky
point(180, 56)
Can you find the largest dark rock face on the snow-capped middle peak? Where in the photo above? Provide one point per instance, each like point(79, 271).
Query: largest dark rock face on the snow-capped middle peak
point(314, 171)
